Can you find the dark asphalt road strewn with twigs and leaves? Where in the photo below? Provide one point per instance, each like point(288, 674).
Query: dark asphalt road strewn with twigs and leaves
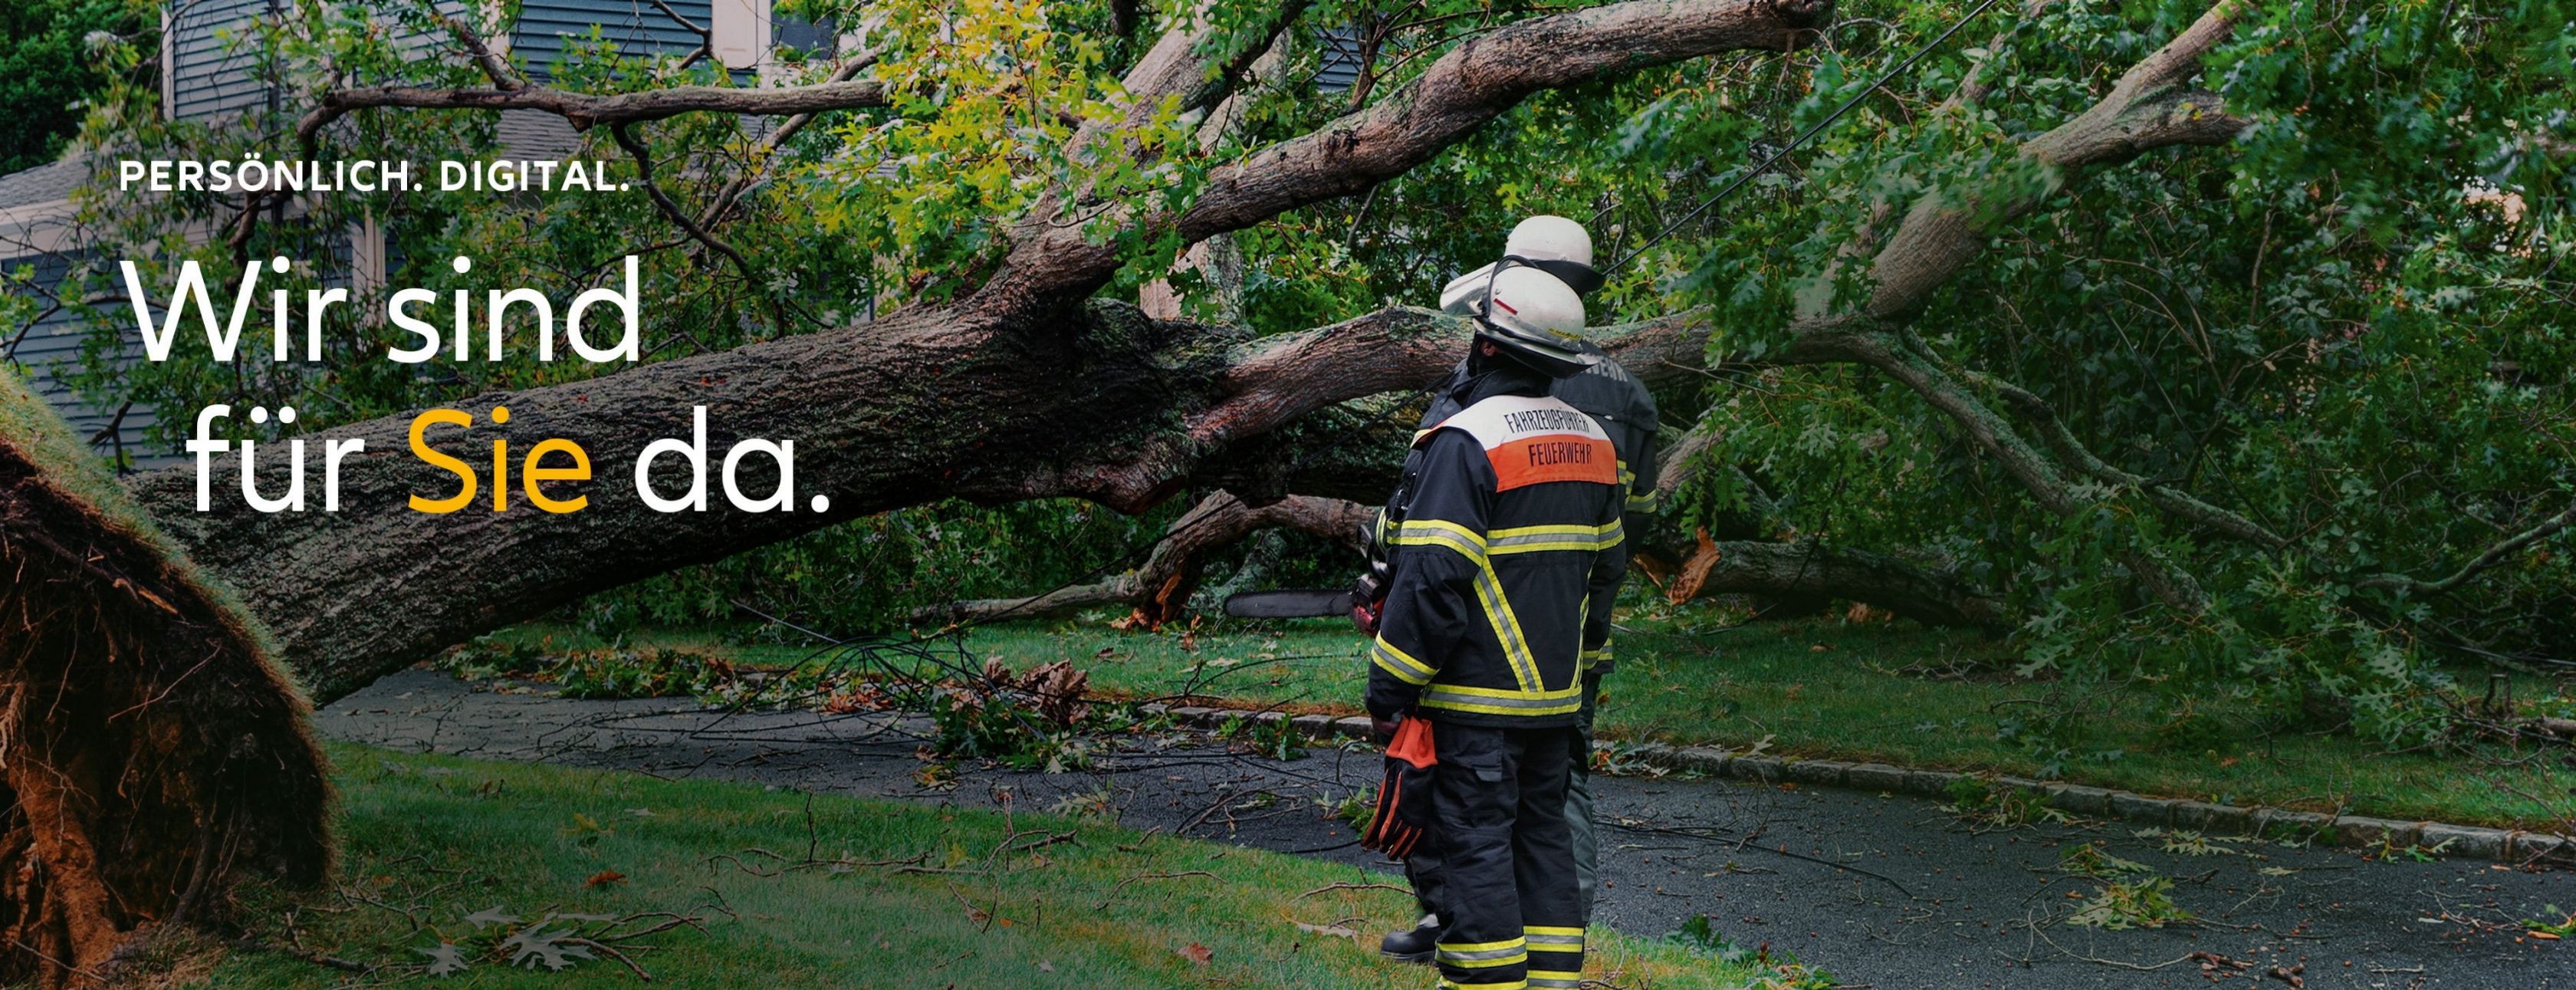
point(1879, 891)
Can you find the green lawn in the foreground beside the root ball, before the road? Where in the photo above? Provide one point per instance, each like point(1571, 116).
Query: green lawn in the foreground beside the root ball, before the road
point(898, 896)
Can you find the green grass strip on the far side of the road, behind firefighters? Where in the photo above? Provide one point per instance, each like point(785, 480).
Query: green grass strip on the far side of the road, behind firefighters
point(1841, 690)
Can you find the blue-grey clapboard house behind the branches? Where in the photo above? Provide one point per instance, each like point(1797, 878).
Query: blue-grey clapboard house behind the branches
point(215, 79)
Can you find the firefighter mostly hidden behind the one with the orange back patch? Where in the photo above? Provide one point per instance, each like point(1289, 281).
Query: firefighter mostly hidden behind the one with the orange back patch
point(1624, 409)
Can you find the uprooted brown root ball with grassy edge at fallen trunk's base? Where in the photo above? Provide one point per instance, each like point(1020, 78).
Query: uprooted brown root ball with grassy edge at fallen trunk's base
point(151, 752)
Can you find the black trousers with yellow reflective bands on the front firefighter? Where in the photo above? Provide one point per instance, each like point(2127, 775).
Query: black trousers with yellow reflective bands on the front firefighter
point(1506, 860)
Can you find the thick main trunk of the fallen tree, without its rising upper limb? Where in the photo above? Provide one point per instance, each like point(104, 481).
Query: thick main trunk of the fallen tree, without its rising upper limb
point(931, 403)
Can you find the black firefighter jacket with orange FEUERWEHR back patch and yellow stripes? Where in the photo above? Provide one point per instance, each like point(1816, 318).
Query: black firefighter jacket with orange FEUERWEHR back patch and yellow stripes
point(1506, 566)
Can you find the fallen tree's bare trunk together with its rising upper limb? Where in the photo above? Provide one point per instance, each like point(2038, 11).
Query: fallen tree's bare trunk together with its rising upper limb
point(1027, 388)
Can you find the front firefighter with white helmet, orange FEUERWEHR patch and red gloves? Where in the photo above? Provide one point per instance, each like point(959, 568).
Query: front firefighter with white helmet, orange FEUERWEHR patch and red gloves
point(1503, 568)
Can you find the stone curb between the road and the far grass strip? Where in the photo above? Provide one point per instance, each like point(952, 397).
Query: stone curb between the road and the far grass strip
point(2351, 831)
